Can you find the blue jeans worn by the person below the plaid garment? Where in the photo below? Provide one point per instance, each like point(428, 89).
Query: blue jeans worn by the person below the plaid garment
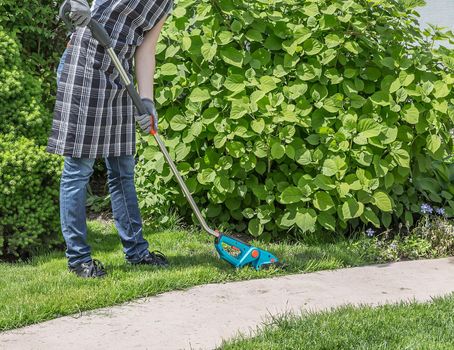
point(73, 192)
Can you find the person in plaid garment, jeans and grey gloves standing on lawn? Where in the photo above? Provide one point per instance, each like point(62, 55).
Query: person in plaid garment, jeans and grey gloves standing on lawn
point(94, 117)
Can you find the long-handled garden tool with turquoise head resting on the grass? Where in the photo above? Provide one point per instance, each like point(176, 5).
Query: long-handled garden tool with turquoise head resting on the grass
point(232, 250)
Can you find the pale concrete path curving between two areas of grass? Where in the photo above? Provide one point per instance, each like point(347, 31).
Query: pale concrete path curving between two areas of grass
point(201, 317)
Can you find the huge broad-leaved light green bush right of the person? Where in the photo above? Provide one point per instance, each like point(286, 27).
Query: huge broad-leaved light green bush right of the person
point(301, 115)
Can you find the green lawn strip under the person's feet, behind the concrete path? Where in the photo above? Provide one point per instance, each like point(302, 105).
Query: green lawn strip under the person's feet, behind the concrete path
point(43, 288)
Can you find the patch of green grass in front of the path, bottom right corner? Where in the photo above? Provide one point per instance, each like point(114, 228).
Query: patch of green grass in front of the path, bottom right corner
point(407, 326)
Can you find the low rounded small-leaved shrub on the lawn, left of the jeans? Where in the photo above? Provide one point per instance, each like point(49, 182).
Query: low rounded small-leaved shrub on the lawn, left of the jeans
point(29, 217)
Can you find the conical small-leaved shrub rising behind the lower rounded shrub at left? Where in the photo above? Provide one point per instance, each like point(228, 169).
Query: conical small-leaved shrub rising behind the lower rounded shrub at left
point(22, 110)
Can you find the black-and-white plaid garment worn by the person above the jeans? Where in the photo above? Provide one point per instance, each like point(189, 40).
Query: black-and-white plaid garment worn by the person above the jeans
point(94, 115)
